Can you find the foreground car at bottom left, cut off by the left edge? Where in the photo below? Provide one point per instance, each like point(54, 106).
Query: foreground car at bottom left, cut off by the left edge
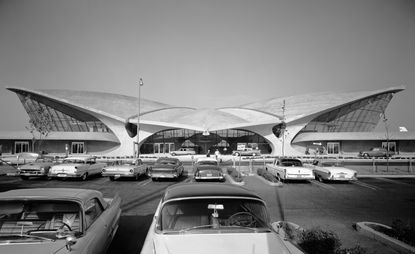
point(57, 220)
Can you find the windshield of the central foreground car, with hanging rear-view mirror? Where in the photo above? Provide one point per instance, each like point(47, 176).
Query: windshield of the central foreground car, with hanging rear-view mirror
point(234, 215)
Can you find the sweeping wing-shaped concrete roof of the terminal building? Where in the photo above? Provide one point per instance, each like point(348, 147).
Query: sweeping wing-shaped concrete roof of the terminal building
point(122, 107)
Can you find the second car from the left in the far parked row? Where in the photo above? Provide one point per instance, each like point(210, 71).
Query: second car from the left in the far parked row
point(38, 168)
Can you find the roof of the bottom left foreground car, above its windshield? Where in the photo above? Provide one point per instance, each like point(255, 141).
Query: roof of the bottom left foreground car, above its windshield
point(82, 195)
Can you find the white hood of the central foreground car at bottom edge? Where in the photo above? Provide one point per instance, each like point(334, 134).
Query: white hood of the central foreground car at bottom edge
point(241, 243)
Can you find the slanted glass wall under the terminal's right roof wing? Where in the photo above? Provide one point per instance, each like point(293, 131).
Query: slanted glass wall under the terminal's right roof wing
point(359, 116)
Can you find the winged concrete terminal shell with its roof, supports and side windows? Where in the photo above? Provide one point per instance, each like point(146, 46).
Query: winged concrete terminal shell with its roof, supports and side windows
point(290, 125)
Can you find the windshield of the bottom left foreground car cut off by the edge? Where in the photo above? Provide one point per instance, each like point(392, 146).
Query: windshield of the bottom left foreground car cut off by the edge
point(38, 220)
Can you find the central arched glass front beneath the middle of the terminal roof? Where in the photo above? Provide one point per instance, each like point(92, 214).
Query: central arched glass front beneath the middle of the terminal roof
point(224, 140)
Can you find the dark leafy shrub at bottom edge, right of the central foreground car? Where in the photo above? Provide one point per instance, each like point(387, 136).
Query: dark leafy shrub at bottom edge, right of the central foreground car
point(318, 241)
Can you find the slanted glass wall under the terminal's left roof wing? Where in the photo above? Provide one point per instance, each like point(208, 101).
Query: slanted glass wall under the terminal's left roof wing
point(63, 121)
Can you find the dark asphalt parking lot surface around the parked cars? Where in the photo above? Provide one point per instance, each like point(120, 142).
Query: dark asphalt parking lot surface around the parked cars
point(333, 206)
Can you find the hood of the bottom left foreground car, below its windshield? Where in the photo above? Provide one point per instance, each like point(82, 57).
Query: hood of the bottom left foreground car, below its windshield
point(34, 247)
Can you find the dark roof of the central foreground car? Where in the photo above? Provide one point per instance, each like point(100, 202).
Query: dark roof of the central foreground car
point(190, 190)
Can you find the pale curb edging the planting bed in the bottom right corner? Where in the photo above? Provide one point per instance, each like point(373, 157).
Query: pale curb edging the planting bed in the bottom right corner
point(385, 239)
